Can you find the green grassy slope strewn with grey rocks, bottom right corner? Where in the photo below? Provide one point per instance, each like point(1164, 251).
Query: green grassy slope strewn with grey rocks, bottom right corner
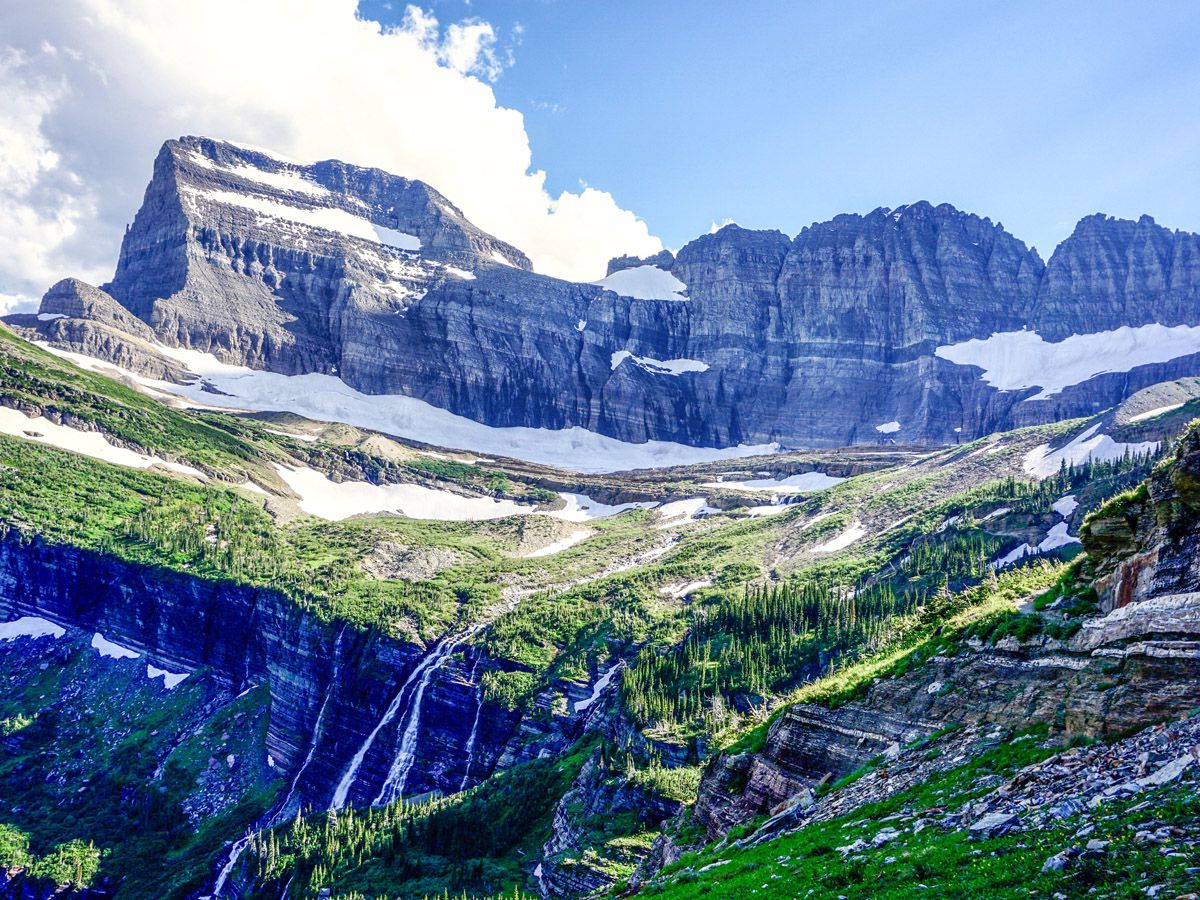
point(1117, 819)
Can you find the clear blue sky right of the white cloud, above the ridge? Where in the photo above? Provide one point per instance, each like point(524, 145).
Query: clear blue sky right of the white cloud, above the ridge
point(778, 115)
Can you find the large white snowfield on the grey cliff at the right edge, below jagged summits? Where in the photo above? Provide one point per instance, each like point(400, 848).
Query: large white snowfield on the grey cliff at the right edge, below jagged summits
point(1016, 361)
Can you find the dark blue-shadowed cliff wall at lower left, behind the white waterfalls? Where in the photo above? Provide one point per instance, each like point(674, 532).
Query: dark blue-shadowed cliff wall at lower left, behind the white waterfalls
point(329, 686)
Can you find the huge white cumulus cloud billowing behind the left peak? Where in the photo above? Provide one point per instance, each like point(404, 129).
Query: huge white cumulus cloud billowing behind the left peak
point(94, 87)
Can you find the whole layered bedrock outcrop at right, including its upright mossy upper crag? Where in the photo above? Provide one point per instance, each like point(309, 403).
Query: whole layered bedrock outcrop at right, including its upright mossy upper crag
point(1135, 663)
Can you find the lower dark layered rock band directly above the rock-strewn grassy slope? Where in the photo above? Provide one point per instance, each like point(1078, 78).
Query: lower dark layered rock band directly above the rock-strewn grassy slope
point(1078, 691)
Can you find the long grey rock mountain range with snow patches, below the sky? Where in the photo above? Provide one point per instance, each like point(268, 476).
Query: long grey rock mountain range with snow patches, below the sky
point(921, 326)
